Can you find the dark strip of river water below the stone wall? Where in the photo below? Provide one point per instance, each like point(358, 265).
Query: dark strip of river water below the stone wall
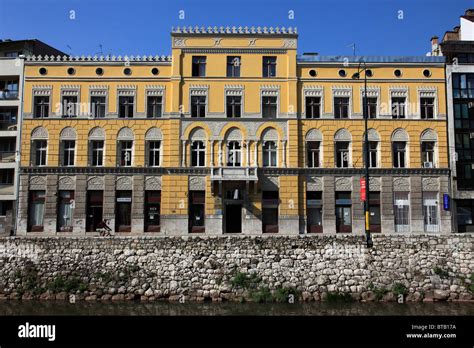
point(230, 308)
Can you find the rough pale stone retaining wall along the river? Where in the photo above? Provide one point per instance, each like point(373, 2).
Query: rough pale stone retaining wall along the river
point(420, 267)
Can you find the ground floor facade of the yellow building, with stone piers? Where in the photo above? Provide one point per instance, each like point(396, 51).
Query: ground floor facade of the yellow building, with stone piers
point(196, 202)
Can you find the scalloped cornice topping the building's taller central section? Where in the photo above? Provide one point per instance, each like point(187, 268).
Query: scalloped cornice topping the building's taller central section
point(234, 30)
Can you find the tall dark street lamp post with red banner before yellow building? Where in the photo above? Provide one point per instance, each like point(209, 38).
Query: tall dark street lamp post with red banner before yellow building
point(363, 68)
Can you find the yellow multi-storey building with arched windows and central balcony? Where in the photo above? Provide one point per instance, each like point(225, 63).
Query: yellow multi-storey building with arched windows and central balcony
point(233, 133)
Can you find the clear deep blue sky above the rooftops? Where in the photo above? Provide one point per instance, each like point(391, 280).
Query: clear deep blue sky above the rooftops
point(328, 27)
